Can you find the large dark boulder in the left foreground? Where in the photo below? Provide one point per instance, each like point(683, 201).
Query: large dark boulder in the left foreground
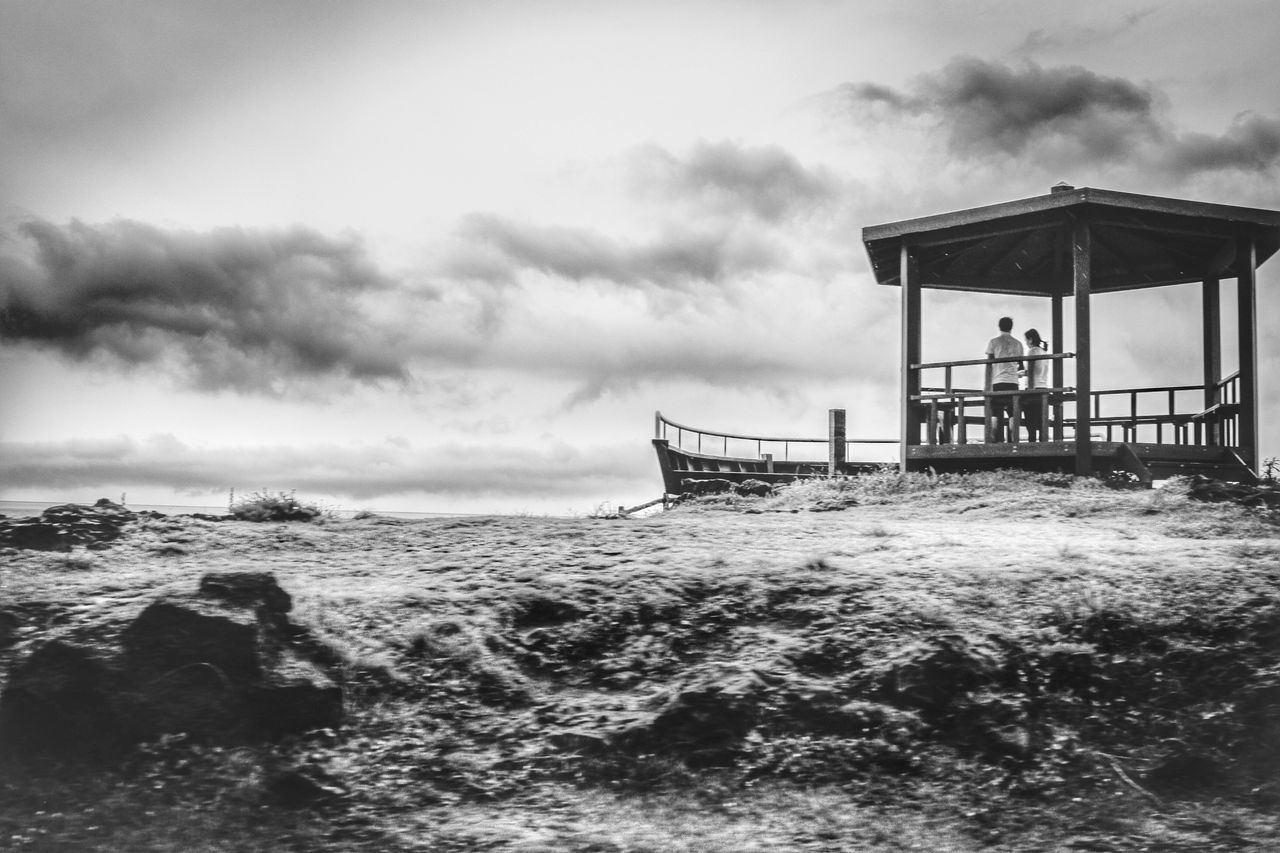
point(223, 665)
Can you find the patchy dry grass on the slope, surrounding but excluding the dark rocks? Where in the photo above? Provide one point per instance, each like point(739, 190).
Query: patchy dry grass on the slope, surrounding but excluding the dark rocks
point(467, 645)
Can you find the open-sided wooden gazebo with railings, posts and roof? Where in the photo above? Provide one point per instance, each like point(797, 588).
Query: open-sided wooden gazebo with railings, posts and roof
point(1080, 243)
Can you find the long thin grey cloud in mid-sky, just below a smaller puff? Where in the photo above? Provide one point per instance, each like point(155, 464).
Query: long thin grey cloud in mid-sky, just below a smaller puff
point(497, 249)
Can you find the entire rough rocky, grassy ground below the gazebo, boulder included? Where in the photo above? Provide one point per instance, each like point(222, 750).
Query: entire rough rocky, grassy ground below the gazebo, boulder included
point(1007, 663)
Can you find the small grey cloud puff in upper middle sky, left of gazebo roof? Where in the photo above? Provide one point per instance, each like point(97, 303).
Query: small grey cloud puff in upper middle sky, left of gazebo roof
point(767, 181)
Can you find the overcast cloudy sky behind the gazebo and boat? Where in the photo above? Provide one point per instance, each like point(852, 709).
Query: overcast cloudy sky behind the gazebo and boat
point(452, 257)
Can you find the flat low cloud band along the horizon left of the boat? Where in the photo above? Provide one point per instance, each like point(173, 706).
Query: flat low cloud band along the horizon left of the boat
point(358, 472)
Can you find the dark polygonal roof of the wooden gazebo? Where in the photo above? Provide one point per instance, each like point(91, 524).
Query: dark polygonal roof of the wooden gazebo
point(1025, 248)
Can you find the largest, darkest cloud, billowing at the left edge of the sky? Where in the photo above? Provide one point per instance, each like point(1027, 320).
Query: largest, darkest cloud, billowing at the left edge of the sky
point(240, 309)
